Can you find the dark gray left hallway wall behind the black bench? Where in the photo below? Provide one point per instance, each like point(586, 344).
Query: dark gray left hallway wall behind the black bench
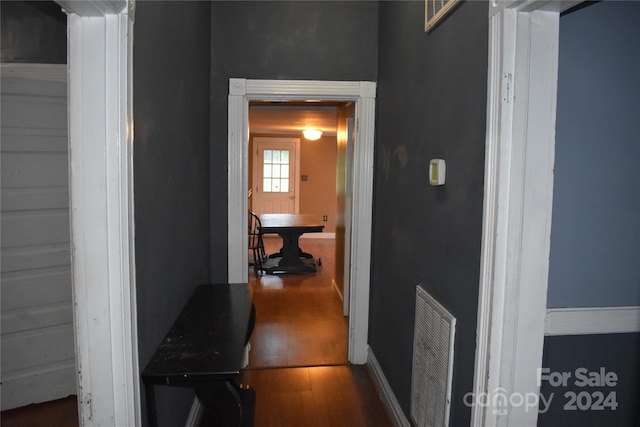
point(171, 170)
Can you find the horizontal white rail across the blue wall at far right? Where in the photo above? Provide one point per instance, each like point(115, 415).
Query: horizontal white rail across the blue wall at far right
point(592, 320)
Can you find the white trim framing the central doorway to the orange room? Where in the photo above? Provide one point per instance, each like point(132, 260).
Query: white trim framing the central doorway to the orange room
point(241, 91)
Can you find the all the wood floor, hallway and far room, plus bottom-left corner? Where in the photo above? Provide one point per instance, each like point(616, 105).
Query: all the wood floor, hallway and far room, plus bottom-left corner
point(298, 360)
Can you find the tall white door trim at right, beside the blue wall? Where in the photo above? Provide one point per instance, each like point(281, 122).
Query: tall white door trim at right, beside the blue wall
point(520, 149)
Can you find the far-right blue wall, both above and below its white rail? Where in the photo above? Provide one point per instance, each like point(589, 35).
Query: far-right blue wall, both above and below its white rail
point(595, 236)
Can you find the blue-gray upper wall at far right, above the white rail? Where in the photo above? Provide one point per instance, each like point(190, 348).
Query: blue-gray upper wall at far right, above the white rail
point(595, 234)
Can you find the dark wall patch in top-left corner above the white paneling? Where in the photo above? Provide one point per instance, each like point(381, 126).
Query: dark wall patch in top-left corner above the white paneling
point(33, 32)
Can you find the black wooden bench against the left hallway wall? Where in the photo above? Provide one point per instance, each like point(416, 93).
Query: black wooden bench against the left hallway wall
point(204, 349)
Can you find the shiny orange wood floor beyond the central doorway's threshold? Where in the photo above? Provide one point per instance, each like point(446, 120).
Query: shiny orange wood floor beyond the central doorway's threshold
point(299, 316)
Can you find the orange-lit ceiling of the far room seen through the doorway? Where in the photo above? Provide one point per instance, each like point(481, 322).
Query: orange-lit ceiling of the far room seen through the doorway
point(292, 119)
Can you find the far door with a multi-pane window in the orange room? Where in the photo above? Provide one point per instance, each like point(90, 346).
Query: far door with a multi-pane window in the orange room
point(274, 187)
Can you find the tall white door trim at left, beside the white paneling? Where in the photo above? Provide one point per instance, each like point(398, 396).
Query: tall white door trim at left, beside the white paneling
point(100, 35)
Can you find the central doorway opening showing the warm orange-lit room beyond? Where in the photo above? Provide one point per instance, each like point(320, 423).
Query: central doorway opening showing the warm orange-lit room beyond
point(302, 317)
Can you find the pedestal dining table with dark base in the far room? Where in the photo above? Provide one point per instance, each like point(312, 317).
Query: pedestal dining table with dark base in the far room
point(290, 227)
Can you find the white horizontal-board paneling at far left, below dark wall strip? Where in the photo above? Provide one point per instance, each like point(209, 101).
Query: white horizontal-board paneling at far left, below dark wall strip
point(38, 352)
